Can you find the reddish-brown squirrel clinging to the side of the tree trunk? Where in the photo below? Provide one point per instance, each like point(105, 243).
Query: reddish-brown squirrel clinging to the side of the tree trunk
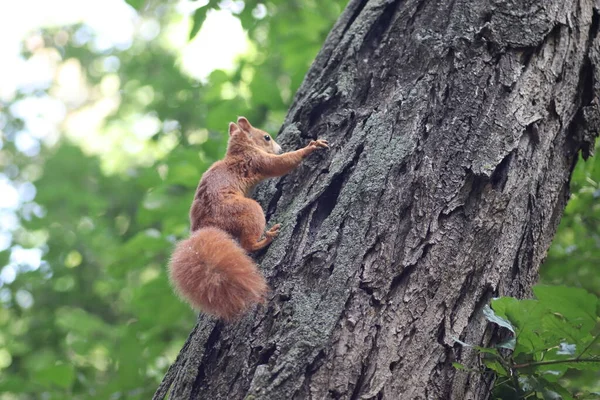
point(211, 269)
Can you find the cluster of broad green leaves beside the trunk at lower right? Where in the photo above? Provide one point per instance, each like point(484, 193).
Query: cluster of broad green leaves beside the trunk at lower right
point(552, 349)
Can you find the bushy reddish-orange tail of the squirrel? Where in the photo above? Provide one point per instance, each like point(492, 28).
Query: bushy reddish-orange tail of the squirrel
point(215, 275)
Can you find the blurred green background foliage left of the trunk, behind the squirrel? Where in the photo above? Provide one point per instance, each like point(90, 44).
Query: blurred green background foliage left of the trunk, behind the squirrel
point(97, 318)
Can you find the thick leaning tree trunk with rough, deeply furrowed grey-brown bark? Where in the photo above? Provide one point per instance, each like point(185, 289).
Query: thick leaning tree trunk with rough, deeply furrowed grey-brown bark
point(454, 128)
